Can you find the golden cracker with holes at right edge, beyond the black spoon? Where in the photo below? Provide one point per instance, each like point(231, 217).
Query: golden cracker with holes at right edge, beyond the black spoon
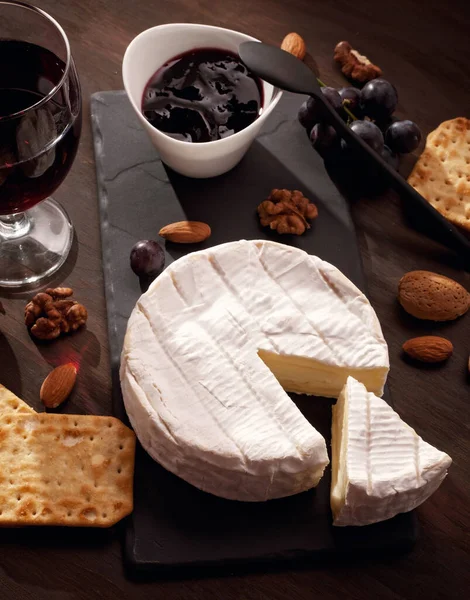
point(442, 173)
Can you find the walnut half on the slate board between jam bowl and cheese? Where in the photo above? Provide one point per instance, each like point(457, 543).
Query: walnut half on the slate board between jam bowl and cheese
point(287, 211)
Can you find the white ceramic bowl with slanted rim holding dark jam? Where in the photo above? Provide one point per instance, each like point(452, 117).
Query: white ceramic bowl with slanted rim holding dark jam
point(149, 51)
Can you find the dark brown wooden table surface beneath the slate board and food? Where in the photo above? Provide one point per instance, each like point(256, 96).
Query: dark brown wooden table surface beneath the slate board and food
point(424, 50)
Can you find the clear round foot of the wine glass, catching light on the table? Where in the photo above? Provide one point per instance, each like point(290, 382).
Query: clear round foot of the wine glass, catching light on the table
point(39, 250)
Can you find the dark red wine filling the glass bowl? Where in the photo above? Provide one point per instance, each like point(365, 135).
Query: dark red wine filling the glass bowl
point(37, 143)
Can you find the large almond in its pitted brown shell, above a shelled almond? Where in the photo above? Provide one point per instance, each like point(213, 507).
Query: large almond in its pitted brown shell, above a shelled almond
point(431, 296)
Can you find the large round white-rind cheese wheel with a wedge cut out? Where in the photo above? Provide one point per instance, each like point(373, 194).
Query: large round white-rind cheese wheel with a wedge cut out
point(210, 347)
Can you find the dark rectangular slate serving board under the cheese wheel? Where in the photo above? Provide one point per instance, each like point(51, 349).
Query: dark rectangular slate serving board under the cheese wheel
point(174, 525)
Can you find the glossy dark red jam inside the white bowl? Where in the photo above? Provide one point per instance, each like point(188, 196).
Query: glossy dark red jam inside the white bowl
point(202, 95)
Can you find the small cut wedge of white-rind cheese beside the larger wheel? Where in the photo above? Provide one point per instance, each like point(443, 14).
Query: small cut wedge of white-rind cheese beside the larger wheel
point(380, 465)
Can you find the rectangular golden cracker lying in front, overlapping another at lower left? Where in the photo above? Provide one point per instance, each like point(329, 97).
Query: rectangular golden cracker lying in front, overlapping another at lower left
point(65, 470)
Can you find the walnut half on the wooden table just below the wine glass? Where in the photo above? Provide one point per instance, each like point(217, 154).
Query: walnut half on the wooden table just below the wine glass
point(52, 313)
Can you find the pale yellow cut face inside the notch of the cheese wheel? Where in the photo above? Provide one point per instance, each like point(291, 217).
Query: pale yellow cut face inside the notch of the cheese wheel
point(302, 375)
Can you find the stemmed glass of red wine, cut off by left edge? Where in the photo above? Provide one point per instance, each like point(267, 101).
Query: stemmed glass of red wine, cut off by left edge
point(40, 125)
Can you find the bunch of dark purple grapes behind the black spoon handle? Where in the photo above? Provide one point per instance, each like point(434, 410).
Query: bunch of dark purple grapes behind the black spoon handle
point(369, 114)
